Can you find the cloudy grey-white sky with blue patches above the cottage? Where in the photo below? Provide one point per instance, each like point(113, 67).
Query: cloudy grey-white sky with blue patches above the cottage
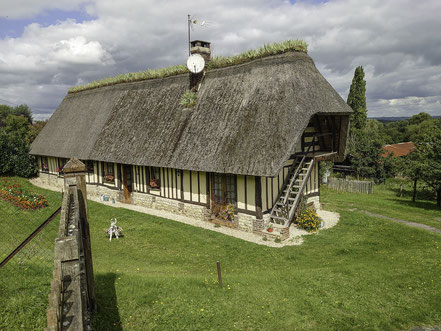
point(48, 46)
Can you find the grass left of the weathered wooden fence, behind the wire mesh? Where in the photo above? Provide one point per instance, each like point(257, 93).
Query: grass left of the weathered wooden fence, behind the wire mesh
point(25, 280)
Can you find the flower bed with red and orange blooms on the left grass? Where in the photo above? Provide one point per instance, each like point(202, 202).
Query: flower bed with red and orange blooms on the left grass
point(12, 192)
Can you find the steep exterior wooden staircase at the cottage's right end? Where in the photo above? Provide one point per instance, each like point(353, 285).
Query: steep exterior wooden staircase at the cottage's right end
point(293, 188)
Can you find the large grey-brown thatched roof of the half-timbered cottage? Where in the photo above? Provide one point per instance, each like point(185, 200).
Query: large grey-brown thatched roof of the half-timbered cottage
point(247, 119)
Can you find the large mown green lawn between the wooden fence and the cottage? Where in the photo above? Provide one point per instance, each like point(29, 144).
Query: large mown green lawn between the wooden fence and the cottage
point(365, 273)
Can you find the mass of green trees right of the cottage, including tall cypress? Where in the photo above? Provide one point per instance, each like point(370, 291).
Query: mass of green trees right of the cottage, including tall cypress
point(368, 136)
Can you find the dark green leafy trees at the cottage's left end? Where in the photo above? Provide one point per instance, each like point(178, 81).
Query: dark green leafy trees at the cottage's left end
point(17, 131)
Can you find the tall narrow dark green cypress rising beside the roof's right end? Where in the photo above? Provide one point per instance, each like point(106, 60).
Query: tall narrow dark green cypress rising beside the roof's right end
point(357, 99)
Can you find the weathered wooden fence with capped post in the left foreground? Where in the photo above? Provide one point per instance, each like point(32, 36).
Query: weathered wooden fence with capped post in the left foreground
point(72, 296)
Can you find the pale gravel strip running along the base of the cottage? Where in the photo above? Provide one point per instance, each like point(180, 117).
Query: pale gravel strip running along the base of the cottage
point(296, 235)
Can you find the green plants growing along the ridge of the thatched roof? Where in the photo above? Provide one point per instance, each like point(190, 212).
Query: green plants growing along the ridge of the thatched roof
point(216, 62)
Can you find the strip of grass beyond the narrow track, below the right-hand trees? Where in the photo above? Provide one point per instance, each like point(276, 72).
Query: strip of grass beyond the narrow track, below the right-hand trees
point(386, 201)
